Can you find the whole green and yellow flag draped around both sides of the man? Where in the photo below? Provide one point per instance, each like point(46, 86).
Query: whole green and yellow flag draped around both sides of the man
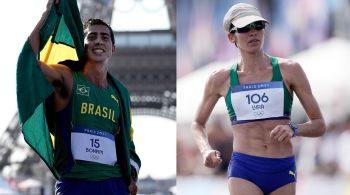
point(61, 39)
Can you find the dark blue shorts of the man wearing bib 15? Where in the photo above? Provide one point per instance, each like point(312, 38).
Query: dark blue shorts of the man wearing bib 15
point(112, 186)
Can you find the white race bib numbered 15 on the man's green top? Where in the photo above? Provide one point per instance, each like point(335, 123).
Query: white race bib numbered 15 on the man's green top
point(93, 145)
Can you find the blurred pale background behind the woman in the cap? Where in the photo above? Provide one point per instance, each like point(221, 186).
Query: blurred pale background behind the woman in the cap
point(316, 34)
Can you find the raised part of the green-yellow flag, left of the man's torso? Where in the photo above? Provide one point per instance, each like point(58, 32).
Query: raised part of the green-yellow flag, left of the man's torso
point(61, 38)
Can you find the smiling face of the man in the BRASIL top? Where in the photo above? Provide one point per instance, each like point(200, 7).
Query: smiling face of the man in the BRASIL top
point(98, 43)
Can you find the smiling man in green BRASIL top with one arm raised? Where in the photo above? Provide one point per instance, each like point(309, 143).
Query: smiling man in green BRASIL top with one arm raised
point(86, 115)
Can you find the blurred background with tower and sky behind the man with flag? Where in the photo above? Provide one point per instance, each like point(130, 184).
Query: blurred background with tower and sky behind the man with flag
point(145, 61)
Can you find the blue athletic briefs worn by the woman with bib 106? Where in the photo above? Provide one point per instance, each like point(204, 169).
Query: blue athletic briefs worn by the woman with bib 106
point(268, 174)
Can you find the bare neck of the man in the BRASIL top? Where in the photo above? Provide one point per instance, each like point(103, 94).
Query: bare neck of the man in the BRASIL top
point(96, 73)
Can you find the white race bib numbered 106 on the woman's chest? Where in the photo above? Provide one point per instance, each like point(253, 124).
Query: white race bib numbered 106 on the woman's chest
point(258, 100)
